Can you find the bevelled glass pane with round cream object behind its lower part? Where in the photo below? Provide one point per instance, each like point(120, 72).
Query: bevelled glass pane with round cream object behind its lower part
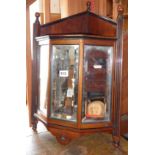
point(97, 84)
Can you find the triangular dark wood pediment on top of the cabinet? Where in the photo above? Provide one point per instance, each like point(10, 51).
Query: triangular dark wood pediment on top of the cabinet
point(86, 23)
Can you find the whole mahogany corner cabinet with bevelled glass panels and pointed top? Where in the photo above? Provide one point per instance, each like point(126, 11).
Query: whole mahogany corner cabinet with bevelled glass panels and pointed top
point(76, 76)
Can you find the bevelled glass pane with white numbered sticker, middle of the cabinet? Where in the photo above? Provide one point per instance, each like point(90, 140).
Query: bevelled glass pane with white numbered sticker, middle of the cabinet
point(64, 82)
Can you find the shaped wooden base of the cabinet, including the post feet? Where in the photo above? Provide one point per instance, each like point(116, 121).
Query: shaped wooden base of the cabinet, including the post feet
point(65, 135)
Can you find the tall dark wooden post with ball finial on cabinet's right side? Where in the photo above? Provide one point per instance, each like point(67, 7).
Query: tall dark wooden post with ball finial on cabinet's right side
point(118, 77)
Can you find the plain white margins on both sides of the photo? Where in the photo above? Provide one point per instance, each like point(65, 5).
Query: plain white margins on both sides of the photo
point(141, 77)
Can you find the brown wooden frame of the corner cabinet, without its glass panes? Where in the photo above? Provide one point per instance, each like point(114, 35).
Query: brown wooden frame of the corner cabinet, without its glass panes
point(79, 29)
